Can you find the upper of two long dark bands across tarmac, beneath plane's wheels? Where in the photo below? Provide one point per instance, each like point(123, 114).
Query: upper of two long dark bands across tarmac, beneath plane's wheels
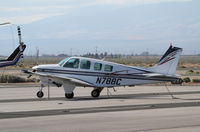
point(124, 96)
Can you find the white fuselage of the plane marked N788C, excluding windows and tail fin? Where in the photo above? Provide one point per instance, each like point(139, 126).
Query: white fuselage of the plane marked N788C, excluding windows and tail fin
point(121, 75)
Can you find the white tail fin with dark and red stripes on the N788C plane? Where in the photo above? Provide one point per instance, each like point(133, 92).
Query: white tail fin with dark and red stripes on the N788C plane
point(169, 61)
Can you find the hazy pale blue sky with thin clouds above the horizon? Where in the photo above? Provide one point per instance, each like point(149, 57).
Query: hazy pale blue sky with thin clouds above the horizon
point(114, 26)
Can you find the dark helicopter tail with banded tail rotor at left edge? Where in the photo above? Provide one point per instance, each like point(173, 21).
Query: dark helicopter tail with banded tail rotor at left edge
point(16, 55)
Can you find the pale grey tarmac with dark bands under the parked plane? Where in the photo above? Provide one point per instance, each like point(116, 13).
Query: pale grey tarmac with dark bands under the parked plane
point(123, 109)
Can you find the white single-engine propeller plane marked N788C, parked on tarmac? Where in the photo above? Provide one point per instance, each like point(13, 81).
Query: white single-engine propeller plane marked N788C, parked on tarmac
point(87, 72)
